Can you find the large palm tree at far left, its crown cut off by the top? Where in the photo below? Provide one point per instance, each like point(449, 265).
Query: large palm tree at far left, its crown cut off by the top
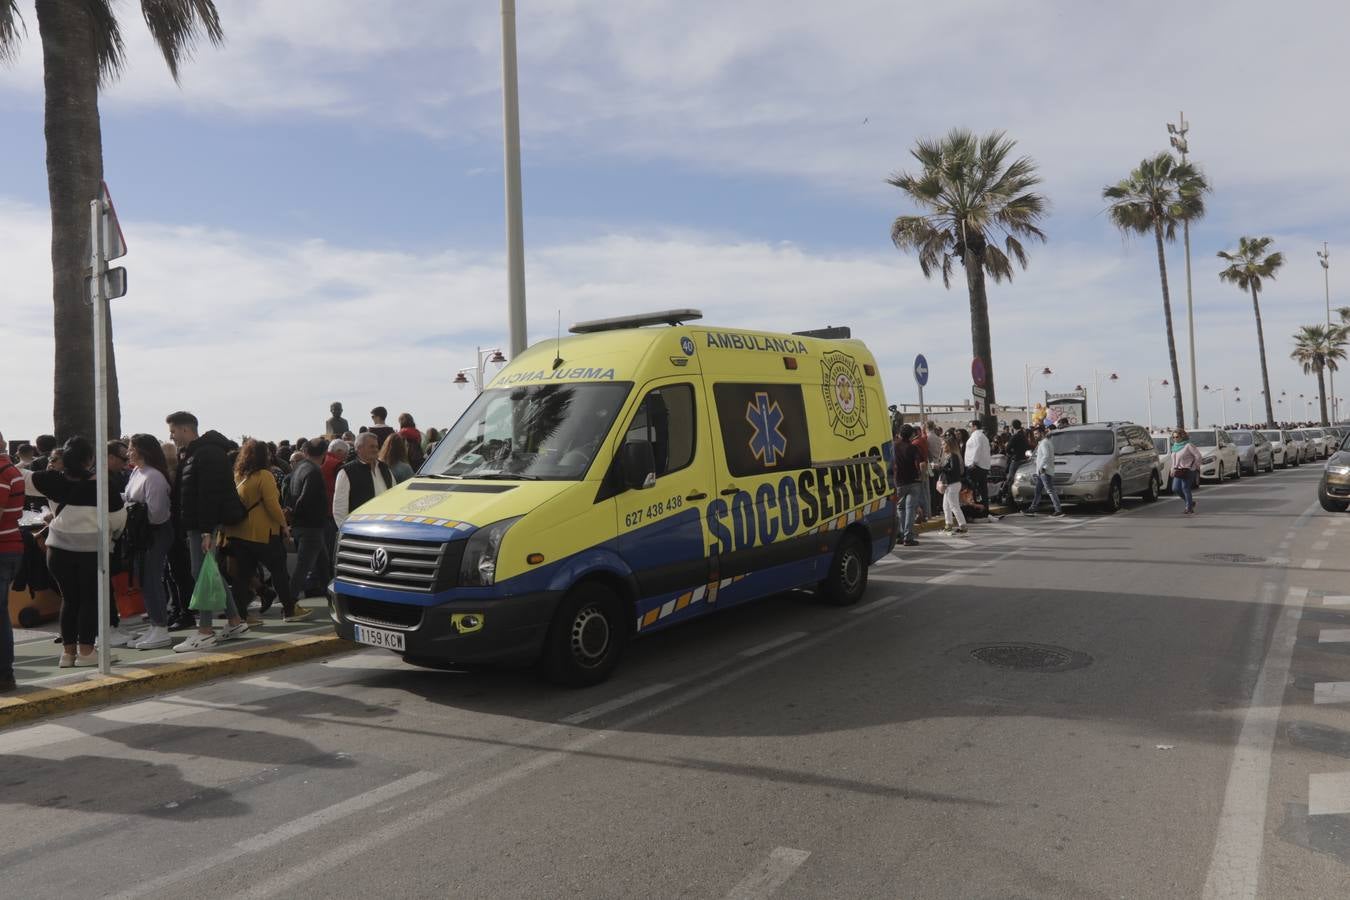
point(83, 52)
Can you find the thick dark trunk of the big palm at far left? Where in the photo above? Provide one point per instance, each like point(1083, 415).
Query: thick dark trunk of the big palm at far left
point(75, 172)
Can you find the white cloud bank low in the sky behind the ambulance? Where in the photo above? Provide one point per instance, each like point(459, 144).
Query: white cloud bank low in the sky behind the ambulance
point(261, 337)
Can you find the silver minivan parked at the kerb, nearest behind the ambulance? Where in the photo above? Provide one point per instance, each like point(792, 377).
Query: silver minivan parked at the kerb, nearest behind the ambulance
point(1100, 465)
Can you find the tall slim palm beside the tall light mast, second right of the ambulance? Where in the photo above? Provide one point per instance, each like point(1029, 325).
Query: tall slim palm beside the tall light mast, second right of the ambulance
point(1158, 196)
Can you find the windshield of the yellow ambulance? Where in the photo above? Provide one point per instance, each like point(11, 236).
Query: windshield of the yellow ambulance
point(541, 432)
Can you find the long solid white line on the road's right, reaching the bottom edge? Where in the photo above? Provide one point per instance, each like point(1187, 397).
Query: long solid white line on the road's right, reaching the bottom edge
point(1236, 866)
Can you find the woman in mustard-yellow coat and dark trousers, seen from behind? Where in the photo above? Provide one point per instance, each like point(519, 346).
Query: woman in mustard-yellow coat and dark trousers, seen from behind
point(259, 538)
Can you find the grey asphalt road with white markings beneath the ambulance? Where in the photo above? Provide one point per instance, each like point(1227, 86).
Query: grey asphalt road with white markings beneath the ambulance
point(781, 750)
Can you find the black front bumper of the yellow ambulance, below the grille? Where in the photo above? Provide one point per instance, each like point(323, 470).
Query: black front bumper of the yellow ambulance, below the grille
point(510, 629)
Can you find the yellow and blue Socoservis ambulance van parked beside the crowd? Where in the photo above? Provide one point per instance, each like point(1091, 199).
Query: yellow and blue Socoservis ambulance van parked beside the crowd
point(637, 474)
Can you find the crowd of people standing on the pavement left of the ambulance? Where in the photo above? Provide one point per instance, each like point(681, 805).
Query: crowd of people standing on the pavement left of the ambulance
point(175, 504)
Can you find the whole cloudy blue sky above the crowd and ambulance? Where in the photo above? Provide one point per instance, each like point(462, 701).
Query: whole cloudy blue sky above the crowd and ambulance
point(317, 213)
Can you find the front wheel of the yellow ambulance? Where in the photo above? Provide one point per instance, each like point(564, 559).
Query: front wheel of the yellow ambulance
point(587, 638)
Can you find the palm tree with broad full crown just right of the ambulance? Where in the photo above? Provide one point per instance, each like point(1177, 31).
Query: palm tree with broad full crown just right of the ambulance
point(970, 196)
